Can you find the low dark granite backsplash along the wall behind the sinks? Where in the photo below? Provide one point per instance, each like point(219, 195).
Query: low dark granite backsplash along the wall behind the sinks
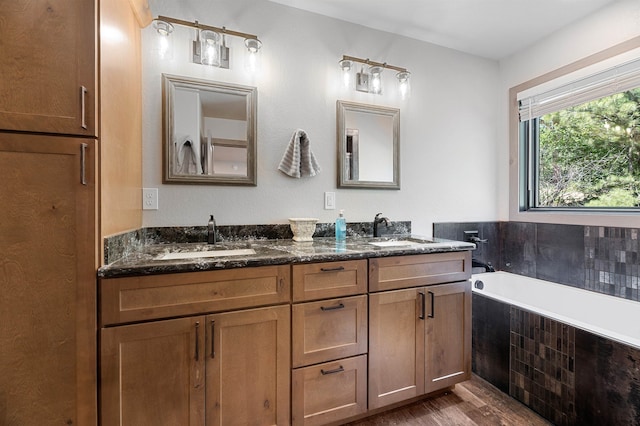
point(118, 246)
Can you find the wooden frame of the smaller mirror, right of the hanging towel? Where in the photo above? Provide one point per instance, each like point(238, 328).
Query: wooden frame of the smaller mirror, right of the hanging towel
point(343, 108)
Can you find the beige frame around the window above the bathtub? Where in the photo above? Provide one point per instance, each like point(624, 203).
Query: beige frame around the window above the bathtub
point(522, 206)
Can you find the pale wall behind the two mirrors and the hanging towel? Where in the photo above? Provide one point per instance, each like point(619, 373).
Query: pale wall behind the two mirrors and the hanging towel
point(449, 125)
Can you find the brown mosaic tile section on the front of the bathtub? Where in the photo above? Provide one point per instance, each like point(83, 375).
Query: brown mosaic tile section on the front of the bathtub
point(542, 373)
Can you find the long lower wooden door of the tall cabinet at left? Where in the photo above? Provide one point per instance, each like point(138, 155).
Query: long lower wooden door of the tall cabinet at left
point(47, 280)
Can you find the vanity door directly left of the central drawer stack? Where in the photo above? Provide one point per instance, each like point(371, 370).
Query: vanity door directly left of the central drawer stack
point(248, 367)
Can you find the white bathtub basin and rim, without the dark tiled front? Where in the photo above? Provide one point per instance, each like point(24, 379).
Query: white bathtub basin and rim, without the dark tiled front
point(608, 316)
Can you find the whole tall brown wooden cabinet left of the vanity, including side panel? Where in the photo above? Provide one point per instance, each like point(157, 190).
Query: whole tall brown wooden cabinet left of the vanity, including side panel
point(54, 162)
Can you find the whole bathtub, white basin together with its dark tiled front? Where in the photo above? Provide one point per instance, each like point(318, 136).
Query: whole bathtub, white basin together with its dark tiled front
point(571, 355)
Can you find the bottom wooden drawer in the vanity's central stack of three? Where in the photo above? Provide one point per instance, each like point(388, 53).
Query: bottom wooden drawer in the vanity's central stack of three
point(330, 392)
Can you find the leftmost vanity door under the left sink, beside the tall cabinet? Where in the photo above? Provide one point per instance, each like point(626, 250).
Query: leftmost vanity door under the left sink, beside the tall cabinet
point(152, 374)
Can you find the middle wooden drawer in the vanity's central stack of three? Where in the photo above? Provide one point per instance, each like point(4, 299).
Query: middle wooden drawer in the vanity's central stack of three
point(329, 329)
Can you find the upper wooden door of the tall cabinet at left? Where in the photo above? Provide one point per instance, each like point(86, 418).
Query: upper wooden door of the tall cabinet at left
point(48, 65)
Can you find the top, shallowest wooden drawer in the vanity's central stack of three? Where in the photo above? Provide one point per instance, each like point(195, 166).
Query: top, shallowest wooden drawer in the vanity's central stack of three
point(332, 279)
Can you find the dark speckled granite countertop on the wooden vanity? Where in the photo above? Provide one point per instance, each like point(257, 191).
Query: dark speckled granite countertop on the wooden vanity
point(147, 260)
